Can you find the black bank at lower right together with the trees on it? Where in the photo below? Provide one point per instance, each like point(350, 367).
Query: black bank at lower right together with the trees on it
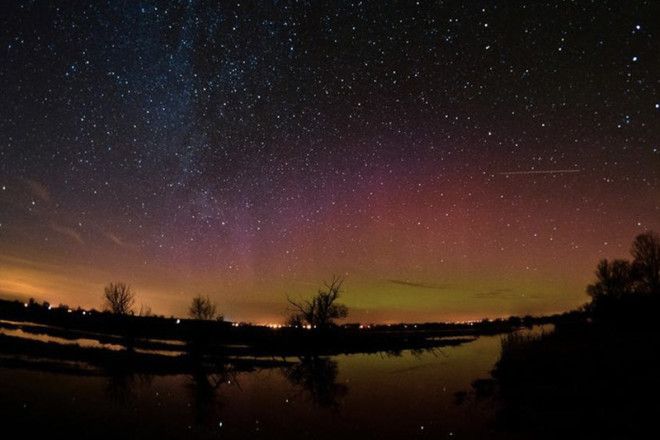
point(596, 375)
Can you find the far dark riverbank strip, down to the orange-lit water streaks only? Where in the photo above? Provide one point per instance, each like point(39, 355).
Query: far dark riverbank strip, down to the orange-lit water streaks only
point(175, 336)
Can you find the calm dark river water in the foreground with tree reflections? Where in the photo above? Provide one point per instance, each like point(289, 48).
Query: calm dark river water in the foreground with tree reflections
point(353, 396)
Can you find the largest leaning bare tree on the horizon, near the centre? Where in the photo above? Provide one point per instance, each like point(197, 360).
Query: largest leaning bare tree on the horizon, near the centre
point(321, 310)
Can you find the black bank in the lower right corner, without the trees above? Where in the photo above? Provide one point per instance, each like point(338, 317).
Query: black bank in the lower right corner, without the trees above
point(595, 377)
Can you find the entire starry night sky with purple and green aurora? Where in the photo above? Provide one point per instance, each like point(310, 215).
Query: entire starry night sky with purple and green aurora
point(453, 160)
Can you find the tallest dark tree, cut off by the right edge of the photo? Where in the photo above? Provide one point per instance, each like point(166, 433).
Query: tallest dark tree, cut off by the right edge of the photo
point(646, 264)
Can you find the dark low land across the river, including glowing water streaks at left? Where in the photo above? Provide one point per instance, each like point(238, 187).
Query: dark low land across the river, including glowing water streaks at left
point(60, 339)
